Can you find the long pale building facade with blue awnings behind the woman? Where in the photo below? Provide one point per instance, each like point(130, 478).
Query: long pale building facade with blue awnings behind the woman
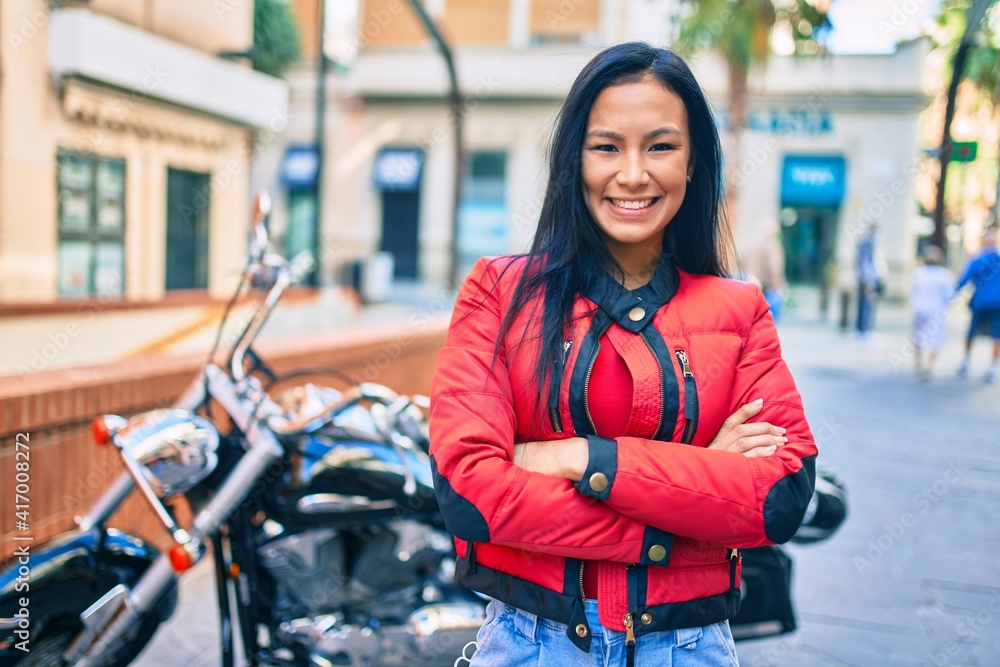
point(831, 144)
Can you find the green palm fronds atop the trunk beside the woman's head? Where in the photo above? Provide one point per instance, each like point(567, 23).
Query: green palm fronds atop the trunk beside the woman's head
point(741, 29)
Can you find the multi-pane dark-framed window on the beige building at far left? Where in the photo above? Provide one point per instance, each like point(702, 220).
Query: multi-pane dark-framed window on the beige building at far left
point(91, 225)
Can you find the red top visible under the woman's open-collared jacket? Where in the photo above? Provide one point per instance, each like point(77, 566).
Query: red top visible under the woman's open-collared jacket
point(610, 409)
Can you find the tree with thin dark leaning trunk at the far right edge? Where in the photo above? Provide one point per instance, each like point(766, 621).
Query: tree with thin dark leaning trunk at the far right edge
point(975, 44)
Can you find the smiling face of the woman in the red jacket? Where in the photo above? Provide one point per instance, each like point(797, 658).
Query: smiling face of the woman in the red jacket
point(636, 158)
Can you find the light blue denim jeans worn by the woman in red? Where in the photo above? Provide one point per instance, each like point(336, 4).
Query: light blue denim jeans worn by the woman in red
point(511, 636)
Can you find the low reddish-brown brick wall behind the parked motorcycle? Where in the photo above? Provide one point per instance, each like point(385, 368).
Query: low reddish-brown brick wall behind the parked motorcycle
point(55, 409)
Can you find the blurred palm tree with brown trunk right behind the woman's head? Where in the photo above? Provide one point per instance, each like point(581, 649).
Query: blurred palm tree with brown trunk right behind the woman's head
point(741, 31)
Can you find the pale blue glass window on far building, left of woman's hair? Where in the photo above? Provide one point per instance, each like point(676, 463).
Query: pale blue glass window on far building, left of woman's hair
point(482, 216)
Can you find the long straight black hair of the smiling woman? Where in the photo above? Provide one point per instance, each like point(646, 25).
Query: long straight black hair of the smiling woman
point(568, 255)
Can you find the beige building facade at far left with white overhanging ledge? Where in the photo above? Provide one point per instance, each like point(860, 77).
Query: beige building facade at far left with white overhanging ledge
point(125, 147)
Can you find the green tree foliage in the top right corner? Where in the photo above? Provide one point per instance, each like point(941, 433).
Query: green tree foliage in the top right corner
point(983, 65)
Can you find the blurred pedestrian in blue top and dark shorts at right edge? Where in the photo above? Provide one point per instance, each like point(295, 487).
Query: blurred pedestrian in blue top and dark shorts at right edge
point(983, 271)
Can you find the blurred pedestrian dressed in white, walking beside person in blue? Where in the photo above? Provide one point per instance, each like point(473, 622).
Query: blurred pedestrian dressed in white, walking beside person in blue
point(931, 289)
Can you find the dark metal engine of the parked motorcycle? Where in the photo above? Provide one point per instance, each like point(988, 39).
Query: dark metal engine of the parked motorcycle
point(324, 568)
